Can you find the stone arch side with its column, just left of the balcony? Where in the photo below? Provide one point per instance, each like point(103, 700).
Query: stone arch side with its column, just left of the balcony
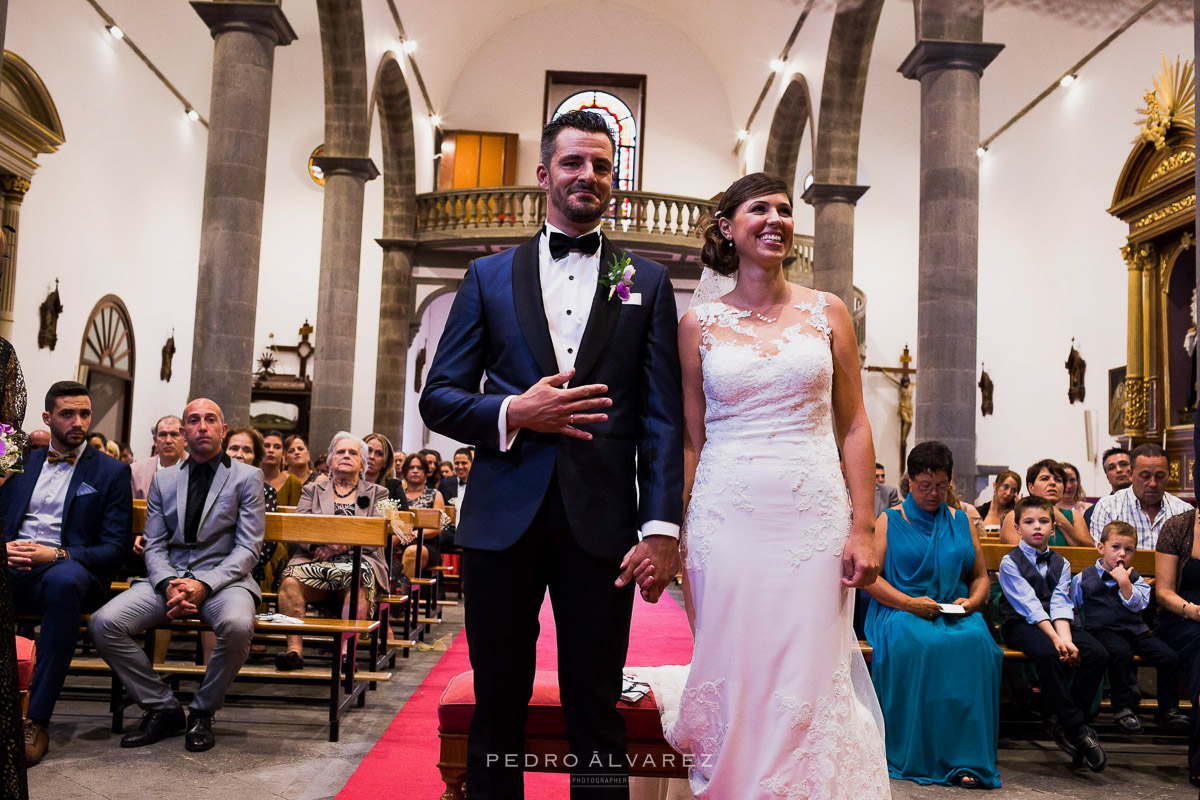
point(393, 101)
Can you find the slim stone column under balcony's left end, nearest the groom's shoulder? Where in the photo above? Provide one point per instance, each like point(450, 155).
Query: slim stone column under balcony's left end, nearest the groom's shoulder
point(395, 315)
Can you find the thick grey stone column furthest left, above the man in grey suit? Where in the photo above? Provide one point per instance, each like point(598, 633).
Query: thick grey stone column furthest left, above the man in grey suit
point(245, 37)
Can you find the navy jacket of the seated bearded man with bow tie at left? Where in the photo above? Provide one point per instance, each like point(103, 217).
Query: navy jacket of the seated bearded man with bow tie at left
point(98, 514)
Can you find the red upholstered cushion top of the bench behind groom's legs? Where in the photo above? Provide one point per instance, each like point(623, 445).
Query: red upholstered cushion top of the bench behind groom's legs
point(547, 719)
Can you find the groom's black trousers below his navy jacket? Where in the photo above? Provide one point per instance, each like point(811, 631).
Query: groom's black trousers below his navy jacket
point(503, 593)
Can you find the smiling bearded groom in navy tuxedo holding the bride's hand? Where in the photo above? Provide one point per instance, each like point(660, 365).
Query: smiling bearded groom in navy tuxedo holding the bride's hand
point(581, 396)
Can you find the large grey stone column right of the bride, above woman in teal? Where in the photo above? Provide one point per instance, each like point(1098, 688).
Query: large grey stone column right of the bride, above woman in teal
point(947, 293)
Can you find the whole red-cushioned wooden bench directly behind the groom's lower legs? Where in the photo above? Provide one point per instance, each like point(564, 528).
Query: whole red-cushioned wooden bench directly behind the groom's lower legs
point(547, 748)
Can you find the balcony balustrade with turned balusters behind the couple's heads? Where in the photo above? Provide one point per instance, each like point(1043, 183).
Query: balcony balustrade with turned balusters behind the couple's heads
point(518, 212)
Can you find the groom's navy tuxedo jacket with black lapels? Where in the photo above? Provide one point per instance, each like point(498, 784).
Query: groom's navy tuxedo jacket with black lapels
point(631, 472)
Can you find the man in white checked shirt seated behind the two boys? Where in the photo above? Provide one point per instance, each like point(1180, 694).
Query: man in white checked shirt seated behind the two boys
point(1145, 504)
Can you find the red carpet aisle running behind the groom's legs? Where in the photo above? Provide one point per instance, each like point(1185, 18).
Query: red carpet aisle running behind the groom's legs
point(404, 765)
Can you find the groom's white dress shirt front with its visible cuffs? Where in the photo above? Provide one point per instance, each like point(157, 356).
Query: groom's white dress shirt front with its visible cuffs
point(568, 287)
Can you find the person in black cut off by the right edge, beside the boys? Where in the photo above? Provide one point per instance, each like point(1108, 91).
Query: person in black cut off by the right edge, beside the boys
point(1178, 588)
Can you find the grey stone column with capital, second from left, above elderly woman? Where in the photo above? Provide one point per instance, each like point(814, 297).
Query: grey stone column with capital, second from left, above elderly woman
point(338, 300)
